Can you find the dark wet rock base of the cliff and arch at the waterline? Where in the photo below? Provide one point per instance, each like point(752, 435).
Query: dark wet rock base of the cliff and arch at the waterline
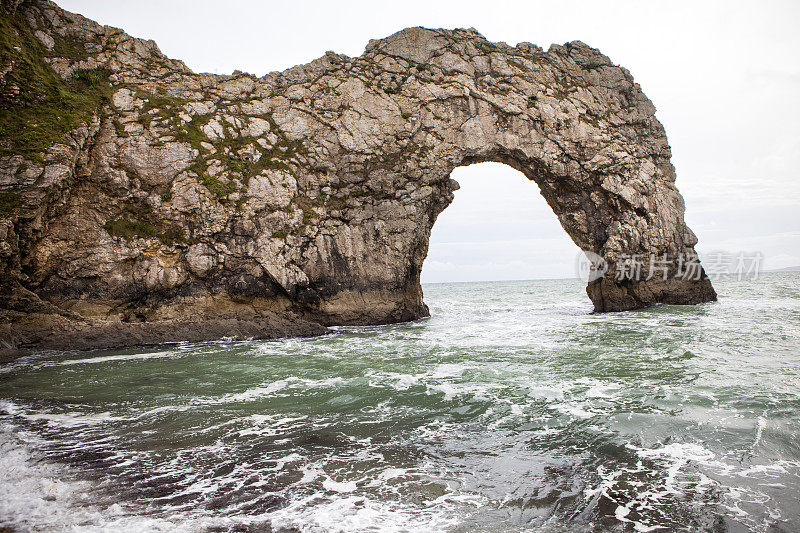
point(50, 328)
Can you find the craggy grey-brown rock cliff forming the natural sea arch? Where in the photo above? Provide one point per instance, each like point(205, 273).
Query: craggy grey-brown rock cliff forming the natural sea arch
point(313, 191)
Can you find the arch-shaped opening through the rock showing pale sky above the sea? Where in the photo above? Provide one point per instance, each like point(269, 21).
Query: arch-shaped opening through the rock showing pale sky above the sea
point(498, 228)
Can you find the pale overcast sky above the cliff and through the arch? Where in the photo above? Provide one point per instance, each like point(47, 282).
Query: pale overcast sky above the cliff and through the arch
point(724, 76)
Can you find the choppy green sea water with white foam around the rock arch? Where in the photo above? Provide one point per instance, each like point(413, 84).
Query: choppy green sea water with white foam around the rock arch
point(513, 408)
